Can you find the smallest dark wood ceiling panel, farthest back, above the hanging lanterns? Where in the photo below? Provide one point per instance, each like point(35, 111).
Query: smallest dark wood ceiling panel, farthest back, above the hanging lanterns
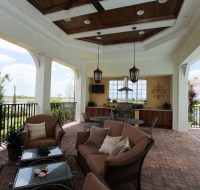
point(124, 37)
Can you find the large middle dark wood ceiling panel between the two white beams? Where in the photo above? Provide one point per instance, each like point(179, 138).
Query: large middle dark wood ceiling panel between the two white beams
point(121, 17)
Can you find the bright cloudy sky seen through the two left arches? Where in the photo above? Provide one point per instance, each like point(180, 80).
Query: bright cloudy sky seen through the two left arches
point(19, 64)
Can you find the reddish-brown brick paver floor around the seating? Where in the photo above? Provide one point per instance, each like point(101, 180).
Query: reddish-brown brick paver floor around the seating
point(173, 163)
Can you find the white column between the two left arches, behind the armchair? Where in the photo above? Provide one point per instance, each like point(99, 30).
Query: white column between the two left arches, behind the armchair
point(43, 82)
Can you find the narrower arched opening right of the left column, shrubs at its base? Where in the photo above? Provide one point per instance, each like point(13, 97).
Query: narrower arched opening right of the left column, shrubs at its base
point(62, 98)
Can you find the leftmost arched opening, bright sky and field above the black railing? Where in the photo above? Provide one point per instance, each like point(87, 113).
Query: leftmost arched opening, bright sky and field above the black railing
point(19, 65)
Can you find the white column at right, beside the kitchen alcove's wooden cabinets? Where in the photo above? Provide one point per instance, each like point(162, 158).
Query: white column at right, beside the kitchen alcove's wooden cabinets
point(180, 98)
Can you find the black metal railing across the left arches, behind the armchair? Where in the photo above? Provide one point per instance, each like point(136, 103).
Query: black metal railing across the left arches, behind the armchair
point(13, 116)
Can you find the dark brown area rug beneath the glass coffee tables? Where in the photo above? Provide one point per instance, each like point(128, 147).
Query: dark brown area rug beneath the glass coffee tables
point(8, 173)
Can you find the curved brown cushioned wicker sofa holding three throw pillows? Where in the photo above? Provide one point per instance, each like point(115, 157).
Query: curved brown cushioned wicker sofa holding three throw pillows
point(122, 168)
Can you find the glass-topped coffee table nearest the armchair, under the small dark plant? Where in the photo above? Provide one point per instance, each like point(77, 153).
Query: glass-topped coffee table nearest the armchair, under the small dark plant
point(31, 155)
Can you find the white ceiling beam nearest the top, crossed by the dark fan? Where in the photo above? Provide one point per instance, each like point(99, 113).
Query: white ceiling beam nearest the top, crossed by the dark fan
point(88, 9)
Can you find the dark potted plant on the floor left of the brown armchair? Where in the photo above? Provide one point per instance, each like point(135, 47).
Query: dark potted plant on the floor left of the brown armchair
point(13, 143)
